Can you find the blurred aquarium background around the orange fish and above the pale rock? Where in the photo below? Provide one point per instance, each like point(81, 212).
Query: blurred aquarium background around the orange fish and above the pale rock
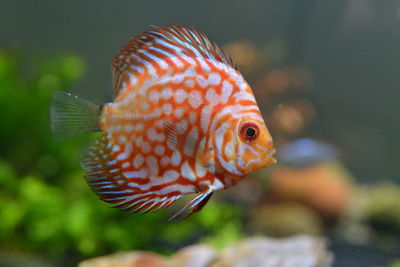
point(326, 77)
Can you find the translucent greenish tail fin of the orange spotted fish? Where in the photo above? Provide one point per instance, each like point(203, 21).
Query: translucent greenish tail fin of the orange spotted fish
point(72, 116)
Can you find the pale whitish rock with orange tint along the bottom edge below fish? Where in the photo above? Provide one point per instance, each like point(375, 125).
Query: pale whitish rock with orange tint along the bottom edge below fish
point(299, 251)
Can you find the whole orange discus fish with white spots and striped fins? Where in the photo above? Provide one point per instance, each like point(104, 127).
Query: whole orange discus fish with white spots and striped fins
point(183, 121)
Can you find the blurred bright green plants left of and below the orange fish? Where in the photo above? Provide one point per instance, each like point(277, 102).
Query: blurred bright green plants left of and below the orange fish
point(46, 206)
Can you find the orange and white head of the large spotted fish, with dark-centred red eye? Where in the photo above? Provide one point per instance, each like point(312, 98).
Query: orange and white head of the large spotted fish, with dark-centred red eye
point(244, 144)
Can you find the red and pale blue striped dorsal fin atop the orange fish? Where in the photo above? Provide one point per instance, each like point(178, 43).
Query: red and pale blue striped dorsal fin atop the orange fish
point(162, 43)
